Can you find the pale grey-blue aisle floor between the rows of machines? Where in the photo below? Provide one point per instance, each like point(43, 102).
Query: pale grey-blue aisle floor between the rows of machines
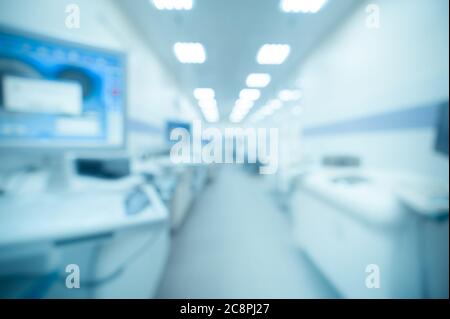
point(236, 243)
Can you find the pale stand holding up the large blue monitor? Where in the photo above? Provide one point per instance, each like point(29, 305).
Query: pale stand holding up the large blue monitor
point(61, 171)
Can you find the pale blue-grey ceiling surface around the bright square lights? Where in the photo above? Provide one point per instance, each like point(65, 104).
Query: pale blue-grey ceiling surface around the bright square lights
point(232, 32)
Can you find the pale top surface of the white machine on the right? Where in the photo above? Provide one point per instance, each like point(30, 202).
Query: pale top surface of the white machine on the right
point(379, 200)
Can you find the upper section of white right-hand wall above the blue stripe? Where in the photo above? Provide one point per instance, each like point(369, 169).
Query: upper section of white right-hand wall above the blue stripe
point(360, 71)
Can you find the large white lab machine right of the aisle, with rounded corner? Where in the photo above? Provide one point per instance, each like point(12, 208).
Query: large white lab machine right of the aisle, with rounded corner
point(351, 222)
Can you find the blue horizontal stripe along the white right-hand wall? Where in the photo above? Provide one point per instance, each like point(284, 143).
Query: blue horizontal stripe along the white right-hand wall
point(417, 117)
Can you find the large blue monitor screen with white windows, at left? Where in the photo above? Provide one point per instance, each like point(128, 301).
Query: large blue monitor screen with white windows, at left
point(58, 94)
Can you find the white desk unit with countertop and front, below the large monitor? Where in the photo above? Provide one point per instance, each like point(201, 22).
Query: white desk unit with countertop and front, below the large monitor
point(118, 254)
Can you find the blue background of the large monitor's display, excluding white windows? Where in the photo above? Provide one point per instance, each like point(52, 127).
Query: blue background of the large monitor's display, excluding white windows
point(101, 75)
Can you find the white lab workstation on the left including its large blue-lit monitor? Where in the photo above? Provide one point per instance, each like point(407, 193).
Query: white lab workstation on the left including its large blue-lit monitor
point(56, 106)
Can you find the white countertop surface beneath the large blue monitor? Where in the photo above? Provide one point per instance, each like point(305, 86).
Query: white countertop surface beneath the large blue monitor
point(92, 207)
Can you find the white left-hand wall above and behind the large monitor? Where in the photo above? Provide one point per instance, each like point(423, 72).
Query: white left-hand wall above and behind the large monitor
point(153, 95)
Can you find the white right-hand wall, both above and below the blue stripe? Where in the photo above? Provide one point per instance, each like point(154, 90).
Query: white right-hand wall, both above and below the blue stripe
point(359, 72)
